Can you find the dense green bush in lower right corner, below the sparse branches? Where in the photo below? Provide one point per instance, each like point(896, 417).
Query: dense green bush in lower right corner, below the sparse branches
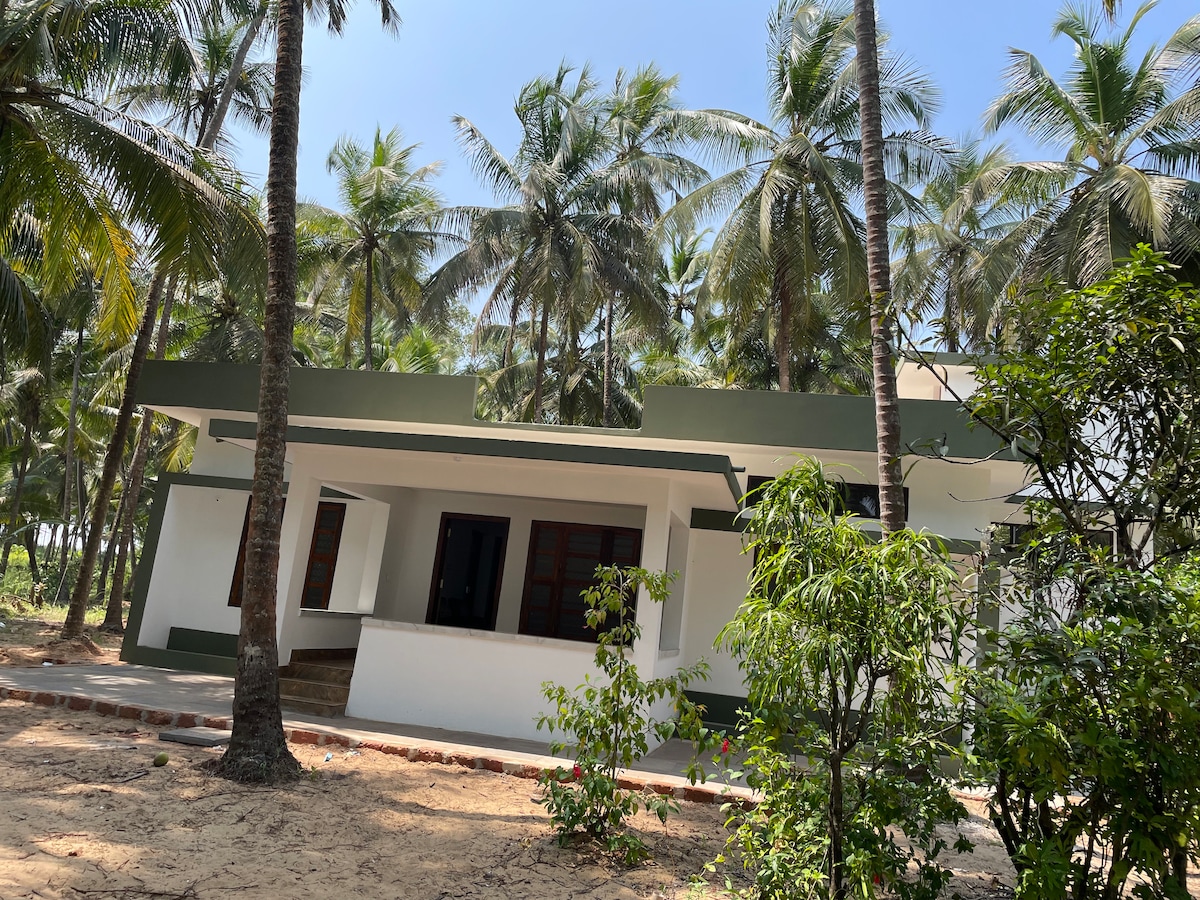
point(1089, 727)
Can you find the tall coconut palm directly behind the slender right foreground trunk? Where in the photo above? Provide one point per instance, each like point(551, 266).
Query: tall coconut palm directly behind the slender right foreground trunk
point(791, 230)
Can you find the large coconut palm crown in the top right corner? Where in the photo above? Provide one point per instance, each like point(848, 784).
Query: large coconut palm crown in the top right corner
point(1127, 134)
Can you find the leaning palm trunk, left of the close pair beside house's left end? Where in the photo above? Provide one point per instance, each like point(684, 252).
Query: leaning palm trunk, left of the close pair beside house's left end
point(104, 495)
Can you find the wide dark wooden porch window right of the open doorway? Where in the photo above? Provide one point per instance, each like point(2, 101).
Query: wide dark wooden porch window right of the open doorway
point(563, 560)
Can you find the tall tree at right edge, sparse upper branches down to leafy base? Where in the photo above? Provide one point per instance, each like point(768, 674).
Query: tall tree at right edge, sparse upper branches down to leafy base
point(1087, 722)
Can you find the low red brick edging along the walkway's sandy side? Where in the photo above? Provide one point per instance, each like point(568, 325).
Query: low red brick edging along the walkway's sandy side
point(689, 794)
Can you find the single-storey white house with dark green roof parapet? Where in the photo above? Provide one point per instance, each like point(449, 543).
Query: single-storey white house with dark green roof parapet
point(448, 553)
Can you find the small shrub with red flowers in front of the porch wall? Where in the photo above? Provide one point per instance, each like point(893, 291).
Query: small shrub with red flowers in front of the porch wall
point(610, 722)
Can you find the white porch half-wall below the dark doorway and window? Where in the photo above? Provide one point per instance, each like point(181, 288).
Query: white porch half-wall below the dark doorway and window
point(457, 679)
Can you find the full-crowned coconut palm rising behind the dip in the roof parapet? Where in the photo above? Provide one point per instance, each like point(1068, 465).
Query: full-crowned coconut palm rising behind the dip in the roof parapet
point(560, 247)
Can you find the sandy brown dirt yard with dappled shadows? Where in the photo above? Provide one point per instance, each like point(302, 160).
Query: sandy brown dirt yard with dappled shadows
point(86, 814)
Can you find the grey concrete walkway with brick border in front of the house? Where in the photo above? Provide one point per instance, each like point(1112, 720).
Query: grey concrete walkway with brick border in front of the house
point(160, 697)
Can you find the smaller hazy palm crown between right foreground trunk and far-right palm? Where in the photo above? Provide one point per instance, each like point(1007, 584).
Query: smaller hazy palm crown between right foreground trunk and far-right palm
point(956, 263)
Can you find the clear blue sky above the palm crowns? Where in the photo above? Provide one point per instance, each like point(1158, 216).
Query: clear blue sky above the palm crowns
point(471, 58)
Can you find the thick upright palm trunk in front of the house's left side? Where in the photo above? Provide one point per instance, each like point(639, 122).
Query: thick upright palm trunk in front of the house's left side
point(259, 751)
